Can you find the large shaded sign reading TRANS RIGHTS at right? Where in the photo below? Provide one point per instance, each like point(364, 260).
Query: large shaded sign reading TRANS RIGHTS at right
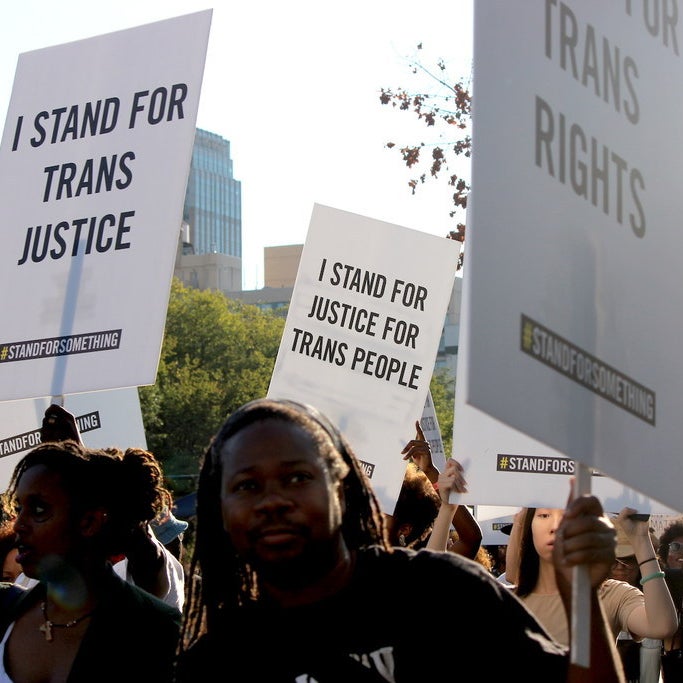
point(573, 240)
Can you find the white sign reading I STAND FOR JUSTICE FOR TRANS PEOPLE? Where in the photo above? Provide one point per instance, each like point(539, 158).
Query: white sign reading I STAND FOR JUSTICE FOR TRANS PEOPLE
point(362, 333)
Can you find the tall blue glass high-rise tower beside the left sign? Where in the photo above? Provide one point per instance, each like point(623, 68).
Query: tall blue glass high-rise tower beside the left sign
point(213, 200)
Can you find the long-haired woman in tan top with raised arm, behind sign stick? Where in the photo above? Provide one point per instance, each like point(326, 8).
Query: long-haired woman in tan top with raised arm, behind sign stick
point(648, 613)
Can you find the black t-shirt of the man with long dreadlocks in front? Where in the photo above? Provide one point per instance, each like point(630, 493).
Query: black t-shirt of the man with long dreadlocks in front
point(405, 616)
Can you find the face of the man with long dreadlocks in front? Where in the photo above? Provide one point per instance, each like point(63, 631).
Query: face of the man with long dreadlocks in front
point(280, 506)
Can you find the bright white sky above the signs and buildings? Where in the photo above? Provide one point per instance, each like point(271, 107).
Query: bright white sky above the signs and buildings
point(294, 86)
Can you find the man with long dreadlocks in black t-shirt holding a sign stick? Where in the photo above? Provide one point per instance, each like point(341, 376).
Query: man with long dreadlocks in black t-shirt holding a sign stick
point(299, 583)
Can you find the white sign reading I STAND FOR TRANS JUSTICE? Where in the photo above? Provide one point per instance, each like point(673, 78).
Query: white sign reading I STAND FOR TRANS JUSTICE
point(94, 162)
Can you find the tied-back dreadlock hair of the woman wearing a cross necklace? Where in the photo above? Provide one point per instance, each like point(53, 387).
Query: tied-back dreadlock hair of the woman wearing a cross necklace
point(127, 484)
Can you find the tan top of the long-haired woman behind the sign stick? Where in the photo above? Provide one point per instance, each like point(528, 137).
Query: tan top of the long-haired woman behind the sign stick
point(618, 600)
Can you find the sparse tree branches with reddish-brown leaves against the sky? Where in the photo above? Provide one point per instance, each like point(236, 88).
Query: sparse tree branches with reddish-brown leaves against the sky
point(445, 110)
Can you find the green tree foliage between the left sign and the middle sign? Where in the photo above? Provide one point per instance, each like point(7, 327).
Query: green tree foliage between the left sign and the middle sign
point(217, 354)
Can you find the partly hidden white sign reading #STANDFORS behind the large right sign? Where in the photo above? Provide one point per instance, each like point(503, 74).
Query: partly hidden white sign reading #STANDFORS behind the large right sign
point(504, 466)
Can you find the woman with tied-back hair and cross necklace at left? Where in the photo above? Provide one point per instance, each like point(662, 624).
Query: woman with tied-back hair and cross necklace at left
point(73, 508)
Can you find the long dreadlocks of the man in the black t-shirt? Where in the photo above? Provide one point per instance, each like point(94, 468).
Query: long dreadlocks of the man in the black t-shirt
point(220, 580)
